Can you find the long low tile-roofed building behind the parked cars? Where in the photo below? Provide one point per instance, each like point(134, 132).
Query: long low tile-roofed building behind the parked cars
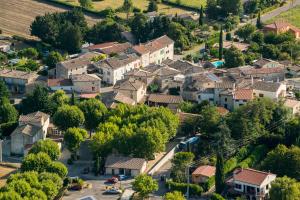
point(119, 165)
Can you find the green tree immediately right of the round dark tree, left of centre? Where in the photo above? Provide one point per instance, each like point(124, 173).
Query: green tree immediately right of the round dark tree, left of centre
point(94, 111)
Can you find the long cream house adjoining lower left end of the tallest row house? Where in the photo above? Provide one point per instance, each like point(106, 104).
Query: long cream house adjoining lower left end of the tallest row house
point(113, 69)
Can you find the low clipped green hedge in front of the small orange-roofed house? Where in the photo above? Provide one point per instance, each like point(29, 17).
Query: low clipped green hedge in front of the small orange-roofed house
point(195, 190)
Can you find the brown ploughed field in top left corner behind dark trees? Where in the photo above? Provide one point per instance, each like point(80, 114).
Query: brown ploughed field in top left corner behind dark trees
point(16, 16)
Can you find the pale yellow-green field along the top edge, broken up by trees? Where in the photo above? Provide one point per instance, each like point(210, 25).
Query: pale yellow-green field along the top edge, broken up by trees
point(141, 4)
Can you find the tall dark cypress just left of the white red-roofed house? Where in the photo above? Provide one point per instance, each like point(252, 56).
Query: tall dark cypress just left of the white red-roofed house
point(220, 175)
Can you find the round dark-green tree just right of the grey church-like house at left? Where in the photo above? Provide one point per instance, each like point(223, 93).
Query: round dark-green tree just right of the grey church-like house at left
point(68, 117)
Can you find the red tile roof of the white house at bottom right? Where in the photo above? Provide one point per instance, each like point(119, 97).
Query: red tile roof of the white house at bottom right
point(250, 176)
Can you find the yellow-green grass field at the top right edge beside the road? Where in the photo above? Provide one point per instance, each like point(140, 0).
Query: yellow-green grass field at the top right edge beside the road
point(292, 16)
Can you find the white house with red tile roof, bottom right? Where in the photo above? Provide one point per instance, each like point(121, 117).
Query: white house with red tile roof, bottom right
point(254, 184)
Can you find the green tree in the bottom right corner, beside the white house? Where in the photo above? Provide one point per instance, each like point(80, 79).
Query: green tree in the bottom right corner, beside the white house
point(285, 188)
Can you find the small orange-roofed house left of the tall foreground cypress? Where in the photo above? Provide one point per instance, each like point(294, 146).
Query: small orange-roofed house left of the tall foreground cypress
point(203, 173)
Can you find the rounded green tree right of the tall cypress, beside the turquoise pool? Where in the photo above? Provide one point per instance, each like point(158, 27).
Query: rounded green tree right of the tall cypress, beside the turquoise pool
point(233, 57)
